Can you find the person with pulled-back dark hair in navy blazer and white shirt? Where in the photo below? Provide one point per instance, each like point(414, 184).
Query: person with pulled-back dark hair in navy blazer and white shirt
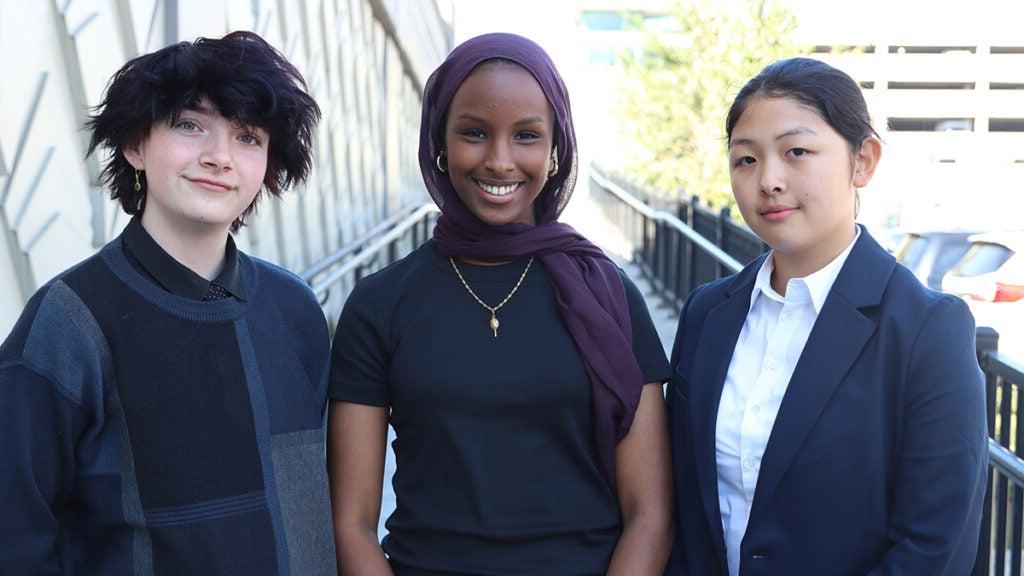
point(827, 412)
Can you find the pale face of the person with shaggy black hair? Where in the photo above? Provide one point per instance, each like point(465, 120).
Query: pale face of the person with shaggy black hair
point(202, 173)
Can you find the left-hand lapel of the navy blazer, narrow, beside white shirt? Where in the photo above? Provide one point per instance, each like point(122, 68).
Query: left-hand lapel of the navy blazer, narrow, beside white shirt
point(711, 363)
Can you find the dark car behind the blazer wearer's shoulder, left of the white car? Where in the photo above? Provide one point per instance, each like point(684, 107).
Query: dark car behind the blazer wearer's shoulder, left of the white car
point(930, 255)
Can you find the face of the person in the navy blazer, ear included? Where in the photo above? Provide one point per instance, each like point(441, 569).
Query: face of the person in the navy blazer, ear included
point(795, 180)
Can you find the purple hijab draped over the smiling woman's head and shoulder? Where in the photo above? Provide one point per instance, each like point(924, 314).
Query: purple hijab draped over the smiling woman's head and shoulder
point(588, 289)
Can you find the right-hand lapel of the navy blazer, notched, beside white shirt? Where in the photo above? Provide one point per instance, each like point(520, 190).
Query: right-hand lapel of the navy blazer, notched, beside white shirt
point(834, 346)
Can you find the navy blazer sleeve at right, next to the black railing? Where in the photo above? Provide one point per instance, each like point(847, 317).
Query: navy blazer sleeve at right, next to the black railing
point(935, 517)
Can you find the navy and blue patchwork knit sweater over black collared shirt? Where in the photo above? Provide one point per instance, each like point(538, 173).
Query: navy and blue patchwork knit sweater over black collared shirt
point(142, 433)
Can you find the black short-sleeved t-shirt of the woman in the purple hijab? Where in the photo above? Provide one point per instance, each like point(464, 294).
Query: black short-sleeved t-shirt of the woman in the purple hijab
point(497, 469)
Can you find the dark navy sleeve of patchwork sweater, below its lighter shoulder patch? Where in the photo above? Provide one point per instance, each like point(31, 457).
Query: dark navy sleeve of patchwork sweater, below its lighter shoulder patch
point(38, 431)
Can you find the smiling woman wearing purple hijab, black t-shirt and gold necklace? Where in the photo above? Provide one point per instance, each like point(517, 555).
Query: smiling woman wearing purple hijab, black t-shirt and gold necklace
point(509, 354)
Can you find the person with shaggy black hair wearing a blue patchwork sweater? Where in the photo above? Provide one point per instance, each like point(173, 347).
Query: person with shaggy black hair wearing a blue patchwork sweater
point(162, 404)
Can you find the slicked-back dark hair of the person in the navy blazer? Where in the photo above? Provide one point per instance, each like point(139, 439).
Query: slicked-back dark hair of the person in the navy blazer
point(829, 92)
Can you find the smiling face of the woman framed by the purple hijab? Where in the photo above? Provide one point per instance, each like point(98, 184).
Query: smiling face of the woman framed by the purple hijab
point(498, 141)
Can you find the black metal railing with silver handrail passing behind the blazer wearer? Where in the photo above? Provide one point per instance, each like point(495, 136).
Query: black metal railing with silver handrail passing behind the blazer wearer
point(676, 259)
